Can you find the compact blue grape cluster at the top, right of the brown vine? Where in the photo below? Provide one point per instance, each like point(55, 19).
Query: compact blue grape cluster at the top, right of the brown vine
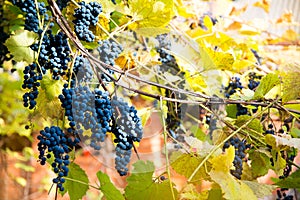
point(86, 16)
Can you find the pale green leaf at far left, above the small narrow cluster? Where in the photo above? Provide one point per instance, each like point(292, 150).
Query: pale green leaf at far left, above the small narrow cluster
point(19, 45)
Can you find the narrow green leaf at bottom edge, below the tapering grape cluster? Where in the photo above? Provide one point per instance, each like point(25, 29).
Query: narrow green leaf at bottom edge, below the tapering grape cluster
point(109, 190)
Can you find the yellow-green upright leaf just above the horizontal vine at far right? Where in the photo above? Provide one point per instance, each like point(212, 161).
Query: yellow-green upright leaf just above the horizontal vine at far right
point(266, 84)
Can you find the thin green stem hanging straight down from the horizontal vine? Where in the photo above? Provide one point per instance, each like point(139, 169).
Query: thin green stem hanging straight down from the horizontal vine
point(166, 149)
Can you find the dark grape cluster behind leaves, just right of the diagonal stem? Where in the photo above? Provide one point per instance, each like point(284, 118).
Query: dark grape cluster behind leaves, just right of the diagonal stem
point(240, 148)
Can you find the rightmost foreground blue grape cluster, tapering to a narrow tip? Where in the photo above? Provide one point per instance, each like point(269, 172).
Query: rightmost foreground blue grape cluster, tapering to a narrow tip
point(127, 129)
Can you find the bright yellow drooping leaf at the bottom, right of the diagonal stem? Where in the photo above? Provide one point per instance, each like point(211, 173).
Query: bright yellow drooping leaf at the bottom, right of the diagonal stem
point(232, 188)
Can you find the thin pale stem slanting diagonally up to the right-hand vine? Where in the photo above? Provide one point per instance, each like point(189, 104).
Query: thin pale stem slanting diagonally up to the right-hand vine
point(231, 135)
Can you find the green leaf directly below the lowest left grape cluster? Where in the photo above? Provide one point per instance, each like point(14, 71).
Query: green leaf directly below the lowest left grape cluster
point(77, 182)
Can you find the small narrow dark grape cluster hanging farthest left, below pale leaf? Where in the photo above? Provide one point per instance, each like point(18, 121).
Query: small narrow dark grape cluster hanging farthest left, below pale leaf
point(31, 82)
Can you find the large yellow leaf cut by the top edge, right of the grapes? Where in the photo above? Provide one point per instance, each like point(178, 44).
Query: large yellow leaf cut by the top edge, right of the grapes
point(150, 13)
